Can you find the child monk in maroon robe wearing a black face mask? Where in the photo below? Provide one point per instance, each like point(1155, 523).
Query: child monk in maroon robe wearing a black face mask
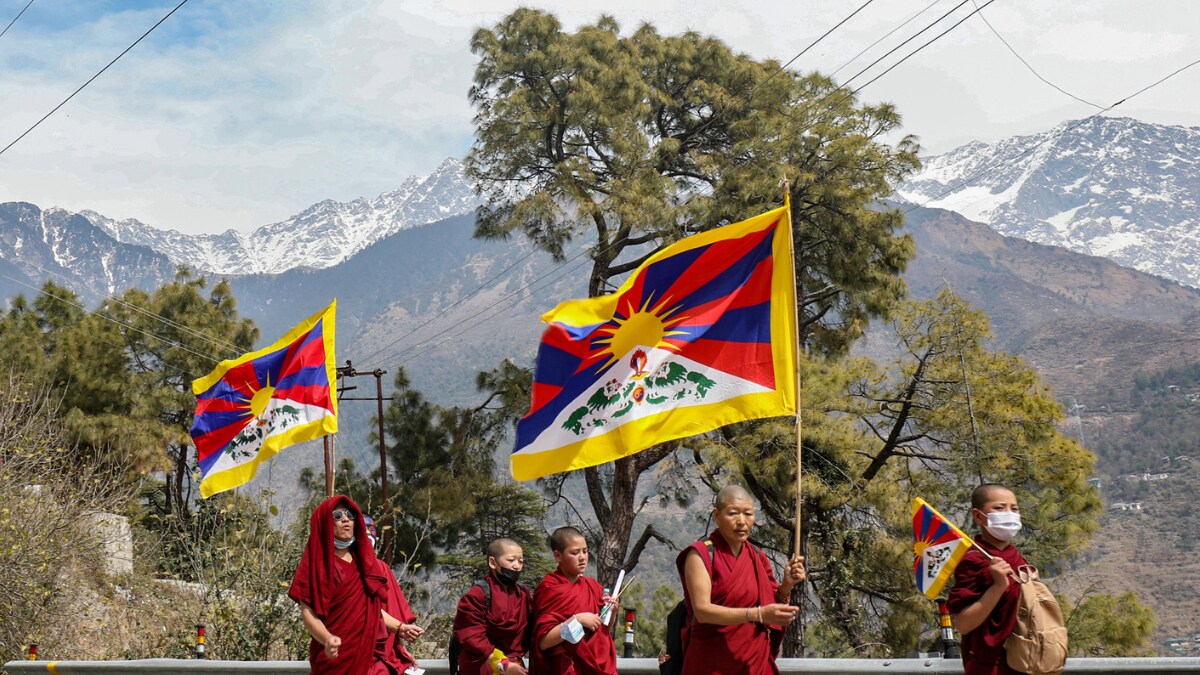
point(496, 640)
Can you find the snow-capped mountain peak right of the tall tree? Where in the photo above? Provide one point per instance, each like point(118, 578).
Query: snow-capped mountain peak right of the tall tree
point(1115, 188)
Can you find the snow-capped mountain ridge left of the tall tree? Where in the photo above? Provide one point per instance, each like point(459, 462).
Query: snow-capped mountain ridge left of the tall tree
point(317, 238)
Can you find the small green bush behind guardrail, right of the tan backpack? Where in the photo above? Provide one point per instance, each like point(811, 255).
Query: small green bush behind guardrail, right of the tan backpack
point(1107, 625)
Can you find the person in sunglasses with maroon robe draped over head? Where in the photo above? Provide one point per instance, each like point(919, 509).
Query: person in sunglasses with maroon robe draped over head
point(343, 593)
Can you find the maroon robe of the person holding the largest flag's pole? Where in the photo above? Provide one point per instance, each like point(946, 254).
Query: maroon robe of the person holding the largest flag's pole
point(746, 581)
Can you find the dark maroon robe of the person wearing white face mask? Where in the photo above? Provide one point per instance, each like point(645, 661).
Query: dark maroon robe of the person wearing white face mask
point(983, 649)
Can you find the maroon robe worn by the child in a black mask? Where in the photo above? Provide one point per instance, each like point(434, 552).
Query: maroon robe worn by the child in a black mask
point(506, 626)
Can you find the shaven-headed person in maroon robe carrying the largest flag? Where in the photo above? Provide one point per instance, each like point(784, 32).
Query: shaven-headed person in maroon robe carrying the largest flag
point(736, 610)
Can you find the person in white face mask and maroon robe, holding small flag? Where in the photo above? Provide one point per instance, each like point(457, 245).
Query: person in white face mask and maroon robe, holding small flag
point(983, 601)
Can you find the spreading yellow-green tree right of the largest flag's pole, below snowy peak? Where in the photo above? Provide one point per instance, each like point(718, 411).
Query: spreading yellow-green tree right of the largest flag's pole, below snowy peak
point(945, 417)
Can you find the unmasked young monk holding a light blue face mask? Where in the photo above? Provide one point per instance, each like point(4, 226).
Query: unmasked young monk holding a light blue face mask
point(568, 635)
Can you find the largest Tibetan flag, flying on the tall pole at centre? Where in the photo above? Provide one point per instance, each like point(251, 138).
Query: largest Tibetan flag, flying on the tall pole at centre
point(701, 336)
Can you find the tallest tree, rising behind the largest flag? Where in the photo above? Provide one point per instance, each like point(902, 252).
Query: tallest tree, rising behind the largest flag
point(631, 142)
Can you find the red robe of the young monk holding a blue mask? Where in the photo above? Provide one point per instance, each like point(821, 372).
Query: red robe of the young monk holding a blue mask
point(555, 601)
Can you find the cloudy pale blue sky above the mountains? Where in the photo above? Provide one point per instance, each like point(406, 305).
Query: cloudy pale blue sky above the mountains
point(239, 114)
